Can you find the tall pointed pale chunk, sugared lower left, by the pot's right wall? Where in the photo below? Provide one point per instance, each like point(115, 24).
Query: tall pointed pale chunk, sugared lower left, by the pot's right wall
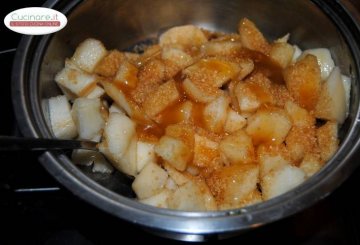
point(332, 100)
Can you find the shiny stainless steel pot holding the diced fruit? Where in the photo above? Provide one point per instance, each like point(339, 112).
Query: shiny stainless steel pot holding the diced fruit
point(120, 24)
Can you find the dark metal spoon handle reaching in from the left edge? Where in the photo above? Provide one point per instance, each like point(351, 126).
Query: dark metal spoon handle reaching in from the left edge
point(11, 143)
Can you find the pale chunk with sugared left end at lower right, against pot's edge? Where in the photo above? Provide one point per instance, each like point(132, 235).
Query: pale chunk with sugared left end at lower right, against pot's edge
point(281, 180)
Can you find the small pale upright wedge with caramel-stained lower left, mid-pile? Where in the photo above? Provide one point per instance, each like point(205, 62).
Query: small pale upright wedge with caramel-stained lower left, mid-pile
point(215, 114)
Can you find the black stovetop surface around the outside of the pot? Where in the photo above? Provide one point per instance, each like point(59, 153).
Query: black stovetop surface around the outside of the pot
point(58, 217)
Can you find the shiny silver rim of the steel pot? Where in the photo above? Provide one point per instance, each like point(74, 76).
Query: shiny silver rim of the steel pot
point(30, 53)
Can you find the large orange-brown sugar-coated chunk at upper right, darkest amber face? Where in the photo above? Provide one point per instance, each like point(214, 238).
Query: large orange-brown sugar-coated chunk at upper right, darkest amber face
point(303, 81)
